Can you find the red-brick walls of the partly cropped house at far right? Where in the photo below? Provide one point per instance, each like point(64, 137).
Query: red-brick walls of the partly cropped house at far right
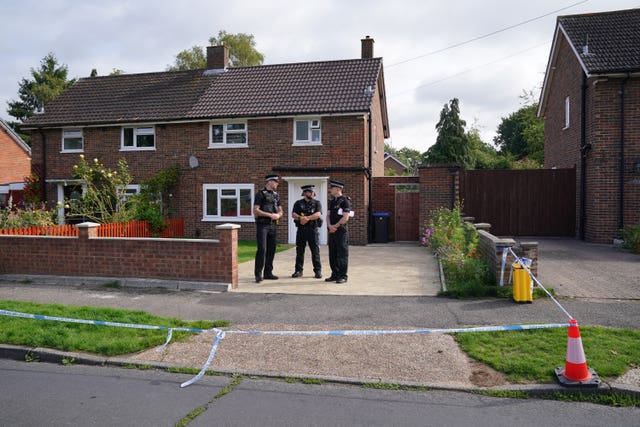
point(602, 131)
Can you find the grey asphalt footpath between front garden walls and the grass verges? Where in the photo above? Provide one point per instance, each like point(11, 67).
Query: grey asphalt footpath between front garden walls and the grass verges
point(347, 311)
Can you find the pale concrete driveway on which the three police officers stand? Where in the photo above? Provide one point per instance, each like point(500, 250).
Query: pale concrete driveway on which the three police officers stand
point(392, 269)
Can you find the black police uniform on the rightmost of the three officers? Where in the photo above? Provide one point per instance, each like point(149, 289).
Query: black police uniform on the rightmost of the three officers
point(339, 241)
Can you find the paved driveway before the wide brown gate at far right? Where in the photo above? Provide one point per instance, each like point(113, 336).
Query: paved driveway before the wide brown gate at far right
point(577, 269)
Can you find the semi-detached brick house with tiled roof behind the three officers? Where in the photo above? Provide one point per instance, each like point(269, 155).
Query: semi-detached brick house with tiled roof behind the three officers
point(226, 128)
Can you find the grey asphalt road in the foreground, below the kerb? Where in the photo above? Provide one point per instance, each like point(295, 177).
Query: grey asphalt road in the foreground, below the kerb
point(56, 395)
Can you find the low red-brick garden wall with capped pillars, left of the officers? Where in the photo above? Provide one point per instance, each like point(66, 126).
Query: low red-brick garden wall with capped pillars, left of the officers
point(86, 255)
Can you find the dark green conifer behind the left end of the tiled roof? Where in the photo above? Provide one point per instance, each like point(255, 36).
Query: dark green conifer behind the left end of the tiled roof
point(45, 85)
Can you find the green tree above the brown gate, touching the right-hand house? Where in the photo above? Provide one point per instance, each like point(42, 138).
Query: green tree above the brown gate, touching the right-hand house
point(521, 134)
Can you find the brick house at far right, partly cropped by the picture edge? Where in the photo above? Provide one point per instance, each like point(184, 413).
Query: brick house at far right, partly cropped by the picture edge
point(591, 104)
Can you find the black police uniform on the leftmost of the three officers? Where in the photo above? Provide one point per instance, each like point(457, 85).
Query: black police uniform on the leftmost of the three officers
point(268, 201)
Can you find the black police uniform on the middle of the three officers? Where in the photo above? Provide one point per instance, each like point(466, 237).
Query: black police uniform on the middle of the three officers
point(308, 234)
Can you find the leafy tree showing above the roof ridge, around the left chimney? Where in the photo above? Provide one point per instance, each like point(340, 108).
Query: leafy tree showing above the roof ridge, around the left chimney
point(242, 52)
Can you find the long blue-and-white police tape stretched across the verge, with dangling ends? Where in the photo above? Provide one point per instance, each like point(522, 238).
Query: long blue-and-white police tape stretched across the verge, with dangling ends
point(220, 334)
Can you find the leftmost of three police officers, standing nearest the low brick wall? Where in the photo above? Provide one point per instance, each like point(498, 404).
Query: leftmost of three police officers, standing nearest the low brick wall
point(267, 211)
